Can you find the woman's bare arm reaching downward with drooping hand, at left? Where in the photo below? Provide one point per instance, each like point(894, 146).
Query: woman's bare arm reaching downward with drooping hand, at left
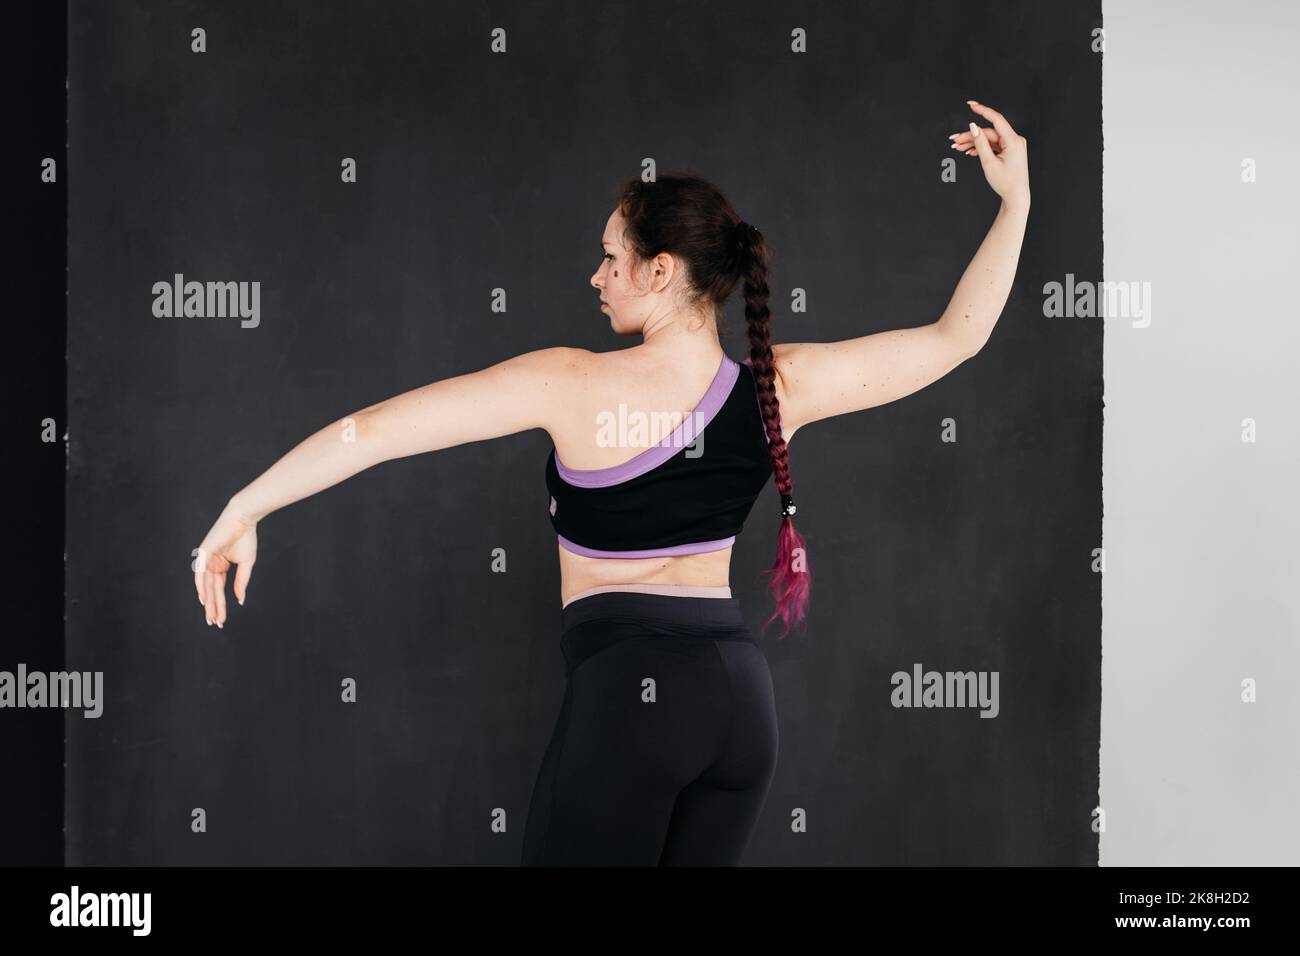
point(513, 396)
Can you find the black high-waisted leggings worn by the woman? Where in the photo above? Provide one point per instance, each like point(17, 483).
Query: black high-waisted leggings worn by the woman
point(666, 741)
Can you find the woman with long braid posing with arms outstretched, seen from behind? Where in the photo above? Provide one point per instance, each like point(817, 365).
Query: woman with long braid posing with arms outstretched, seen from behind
point(668, 739)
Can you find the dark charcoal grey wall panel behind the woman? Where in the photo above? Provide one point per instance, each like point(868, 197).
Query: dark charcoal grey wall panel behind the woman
point(482, 171)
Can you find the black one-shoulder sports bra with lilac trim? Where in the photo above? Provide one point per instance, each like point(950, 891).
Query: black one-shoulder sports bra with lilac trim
point(688, 495)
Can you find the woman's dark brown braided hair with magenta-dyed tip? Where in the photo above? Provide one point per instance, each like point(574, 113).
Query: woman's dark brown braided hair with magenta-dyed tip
point(688, 217)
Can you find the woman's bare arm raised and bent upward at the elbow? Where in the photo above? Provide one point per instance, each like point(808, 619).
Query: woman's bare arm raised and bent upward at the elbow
point(817, 380)
